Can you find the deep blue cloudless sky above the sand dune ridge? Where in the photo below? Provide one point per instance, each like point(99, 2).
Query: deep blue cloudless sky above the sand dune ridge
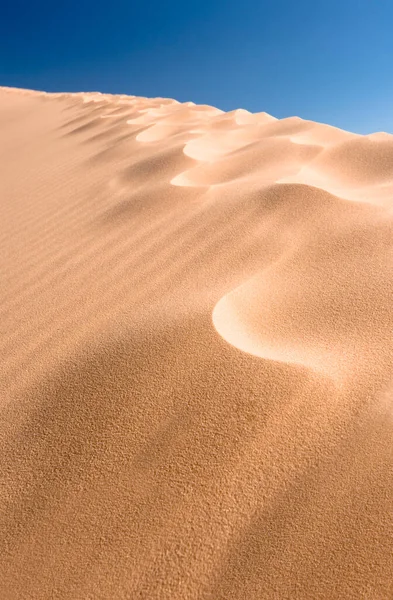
point(326, 60)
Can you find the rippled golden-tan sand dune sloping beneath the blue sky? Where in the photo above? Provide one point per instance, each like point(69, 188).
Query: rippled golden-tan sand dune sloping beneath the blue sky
point(196, 353)
